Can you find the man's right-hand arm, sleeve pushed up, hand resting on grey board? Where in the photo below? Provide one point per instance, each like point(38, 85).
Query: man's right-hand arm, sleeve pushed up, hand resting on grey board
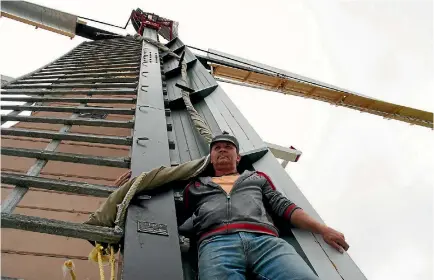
point(283, 207)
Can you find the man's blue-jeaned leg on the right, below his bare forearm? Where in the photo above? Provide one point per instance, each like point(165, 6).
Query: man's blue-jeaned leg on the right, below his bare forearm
point(273, 258)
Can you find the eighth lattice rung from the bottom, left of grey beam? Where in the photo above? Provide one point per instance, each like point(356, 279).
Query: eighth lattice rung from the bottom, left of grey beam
point(82, 91)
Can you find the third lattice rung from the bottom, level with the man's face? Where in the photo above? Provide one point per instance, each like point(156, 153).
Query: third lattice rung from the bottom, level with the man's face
point(66, 157)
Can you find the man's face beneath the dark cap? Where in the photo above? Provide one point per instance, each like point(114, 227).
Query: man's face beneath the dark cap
point(224, 155)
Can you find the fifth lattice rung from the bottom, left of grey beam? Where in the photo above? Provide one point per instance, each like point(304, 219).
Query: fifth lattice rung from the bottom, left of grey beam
point(85, 122)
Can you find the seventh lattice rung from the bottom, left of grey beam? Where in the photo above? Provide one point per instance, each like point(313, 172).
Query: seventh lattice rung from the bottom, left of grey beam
point(69, 100)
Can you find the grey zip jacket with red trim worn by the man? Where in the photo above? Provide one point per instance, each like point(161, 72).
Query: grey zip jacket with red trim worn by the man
point(243, 209)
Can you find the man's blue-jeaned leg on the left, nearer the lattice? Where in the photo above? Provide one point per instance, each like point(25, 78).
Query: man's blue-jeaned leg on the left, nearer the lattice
point(222, 257)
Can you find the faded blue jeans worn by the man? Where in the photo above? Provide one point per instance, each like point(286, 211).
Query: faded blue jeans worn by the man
point(229, 256)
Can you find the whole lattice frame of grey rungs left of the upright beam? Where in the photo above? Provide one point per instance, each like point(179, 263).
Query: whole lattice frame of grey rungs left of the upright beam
point(108, 68)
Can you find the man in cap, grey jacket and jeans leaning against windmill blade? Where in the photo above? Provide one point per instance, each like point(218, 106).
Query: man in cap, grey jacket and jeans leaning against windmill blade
point(234, 233)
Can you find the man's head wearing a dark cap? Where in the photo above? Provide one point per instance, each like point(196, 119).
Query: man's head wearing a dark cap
point(224, 151)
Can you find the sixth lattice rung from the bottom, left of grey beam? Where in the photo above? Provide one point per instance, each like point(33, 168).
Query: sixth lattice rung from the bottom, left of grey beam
point(105, 110)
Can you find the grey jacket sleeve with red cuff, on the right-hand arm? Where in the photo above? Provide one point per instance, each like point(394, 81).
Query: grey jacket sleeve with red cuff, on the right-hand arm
point(276, 202)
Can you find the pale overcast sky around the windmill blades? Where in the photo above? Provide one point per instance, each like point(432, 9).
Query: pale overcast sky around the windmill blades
point(368, 177)
